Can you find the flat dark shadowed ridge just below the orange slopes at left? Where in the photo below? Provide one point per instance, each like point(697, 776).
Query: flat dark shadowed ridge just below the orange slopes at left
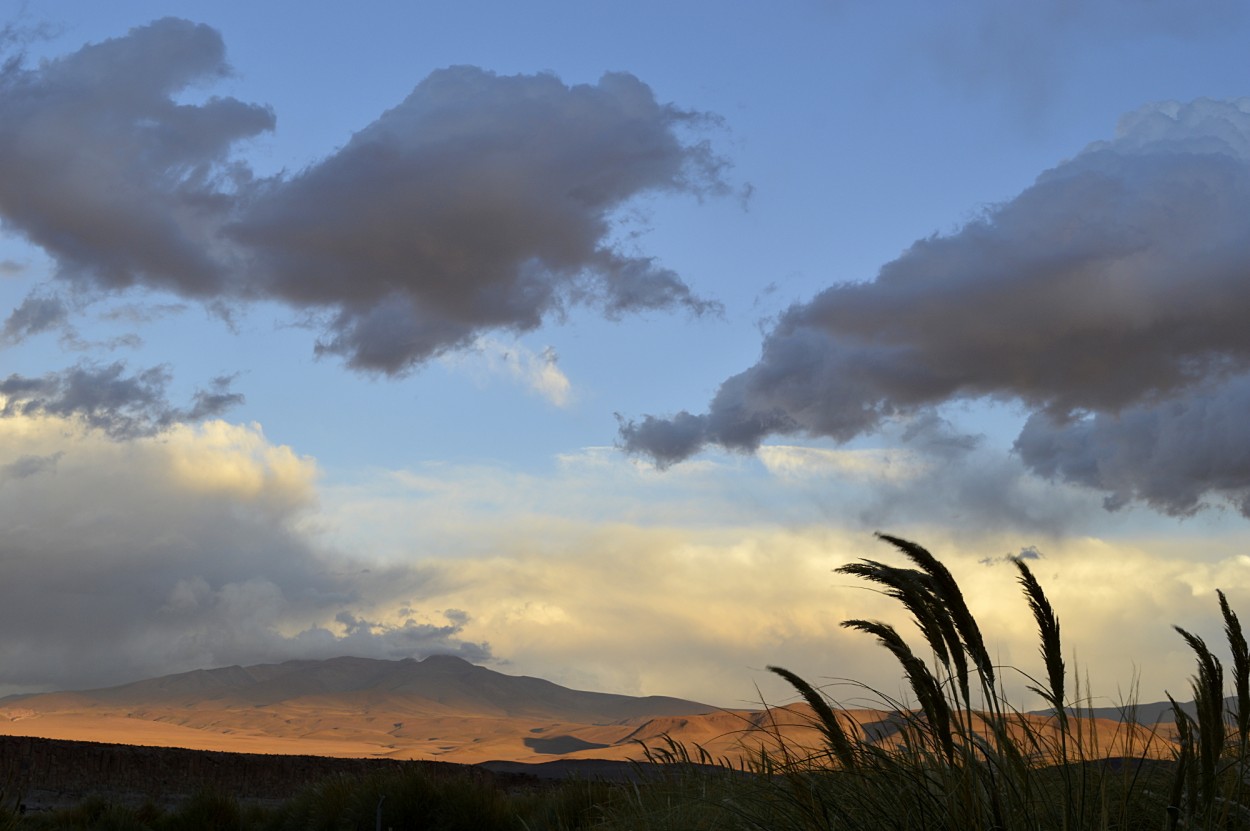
point(46, 774)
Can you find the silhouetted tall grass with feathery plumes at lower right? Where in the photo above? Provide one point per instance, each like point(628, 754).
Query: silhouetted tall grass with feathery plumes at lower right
point(966, 758)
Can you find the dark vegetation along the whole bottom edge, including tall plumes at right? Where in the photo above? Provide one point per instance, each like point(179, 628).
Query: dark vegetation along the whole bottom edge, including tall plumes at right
point(963, 757)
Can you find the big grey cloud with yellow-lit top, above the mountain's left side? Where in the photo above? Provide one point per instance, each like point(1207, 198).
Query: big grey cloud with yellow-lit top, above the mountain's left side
point(194, 549)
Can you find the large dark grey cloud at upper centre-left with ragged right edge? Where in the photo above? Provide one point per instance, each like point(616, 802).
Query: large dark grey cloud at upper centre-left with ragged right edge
point(482, 202)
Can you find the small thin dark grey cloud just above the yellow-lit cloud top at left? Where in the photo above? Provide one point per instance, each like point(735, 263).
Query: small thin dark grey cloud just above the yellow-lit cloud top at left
point(108, 399)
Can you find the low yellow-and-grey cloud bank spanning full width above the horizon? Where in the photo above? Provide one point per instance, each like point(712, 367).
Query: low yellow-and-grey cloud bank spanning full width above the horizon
point(209, 545)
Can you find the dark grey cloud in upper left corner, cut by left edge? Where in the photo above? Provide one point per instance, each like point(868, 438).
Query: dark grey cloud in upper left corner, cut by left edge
point(114, 178)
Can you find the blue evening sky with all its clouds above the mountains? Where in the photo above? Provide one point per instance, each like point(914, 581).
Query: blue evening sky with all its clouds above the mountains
point(587, 341)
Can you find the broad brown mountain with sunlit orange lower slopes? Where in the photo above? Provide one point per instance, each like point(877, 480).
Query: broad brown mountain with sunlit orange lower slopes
point(441, 708)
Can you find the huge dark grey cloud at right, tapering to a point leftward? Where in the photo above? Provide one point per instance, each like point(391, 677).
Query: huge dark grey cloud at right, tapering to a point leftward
point(1118, 283)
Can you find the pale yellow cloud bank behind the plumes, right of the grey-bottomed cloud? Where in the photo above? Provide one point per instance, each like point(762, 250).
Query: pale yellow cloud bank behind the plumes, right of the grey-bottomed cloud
point(736, 573)
